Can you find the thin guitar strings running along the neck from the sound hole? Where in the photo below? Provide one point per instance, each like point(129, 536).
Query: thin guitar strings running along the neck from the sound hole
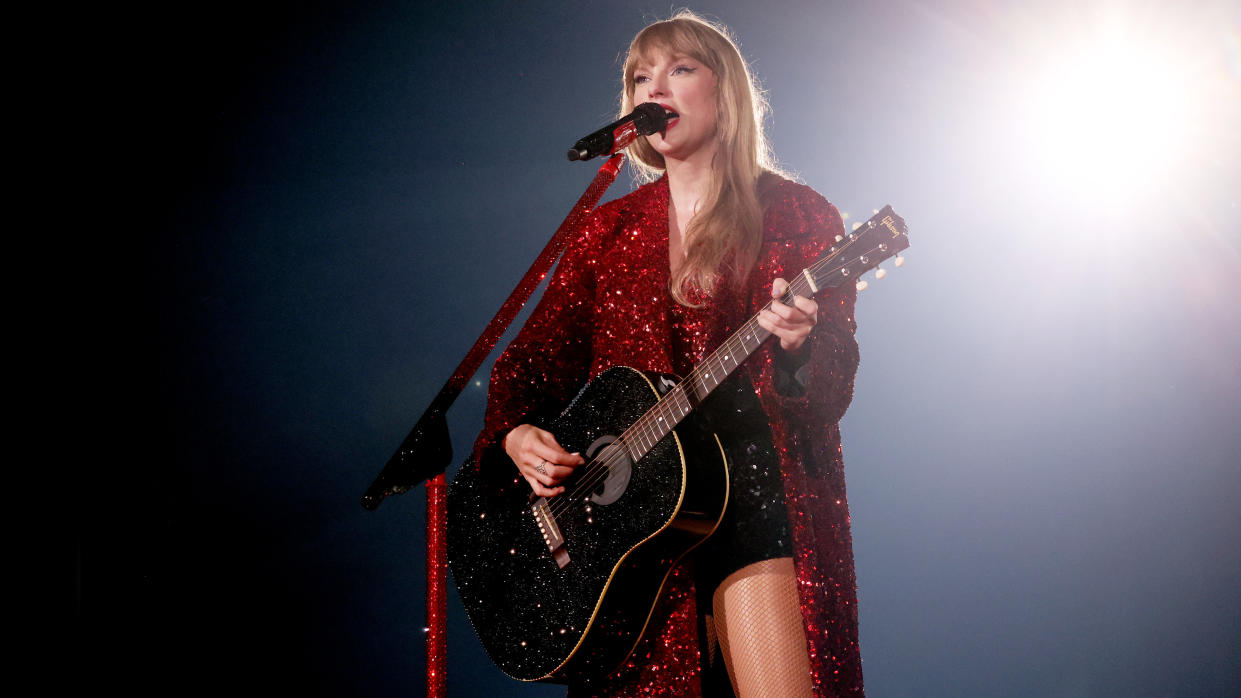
point(598, 470)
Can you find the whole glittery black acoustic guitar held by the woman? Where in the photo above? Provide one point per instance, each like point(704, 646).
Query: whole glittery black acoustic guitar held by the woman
point(563, 589)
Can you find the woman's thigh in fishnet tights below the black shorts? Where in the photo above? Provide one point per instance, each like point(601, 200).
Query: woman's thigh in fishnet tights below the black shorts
point(759, 625)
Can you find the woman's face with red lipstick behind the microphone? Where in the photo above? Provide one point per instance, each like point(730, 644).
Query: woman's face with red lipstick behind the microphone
point(688, 88)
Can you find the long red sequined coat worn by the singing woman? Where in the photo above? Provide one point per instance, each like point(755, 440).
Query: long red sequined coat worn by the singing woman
point(609, 305)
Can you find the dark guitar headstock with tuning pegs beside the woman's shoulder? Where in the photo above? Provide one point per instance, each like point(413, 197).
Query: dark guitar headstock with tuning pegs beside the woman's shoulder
point(879, 239)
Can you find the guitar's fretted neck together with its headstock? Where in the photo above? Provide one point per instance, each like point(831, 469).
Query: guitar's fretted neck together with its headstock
point(874, 242)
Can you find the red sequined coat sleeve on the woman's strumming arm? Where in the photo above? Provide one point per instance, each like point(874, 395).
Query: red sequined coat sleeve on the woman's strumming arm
point(550, 358)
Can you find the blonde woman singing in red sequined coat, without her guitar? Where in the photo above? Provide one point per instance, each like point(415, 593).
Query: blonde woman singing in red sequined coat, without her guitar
point(657, 280)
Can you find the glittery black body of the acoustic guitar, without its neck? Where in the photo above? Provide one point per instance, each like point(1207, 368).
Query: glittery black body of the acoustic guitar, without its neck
point(542, 622)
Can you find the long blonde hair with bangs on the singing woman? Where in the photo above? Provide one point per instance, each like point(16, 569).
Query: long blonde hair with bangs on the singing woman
point(724, 237)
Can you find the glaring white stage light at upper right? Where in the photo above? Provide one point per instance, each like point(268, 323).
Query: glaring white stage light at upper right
point(1113, 116)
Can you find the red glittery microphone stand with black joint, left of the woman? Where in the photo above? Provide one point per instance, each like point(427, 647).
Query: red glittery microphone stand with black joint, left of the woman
point(428, 450)
